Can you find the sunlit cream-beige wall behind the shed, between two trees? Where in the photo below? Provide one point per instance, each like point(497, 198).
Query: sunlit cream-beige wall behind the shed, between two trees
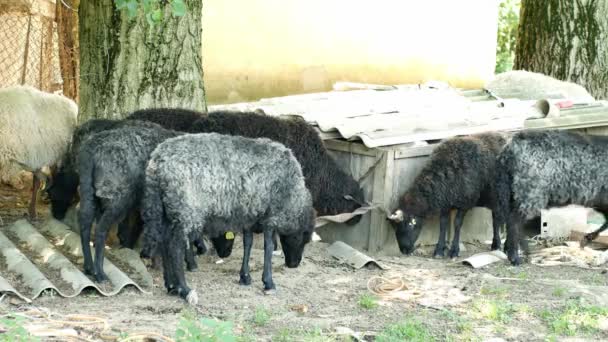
point(263, 48)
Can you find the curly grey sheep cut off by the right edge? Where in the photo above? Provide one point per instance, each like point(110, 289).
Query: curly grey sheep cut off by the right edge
point(543, 169)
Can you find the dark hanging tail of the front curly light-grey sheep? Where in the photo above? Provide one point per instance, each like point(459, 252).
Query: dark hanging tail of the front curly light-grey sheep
point(153, 216)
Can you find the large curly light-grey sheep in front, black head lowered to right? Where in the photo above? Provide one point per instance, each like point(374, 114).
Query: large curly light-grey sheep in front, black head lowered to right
point(206, 182)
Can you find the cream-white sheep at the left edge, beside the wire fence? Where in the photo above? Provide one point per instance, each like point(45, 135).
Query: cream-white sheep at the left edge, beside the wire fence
point(35, 131)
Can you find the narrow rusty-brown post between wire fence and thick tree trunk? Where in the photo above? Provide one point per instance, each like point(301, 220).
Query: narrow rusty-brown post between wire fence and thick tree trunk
point(66, 15)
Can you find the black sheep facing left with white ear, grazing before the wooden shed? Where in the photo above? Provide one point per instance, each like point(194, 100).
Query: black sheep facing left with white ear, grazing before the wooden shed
point(459, 175)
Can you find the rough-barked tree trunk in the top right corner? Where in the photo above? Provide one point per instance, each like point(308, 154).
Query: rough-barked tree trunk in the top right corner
point(565, 39)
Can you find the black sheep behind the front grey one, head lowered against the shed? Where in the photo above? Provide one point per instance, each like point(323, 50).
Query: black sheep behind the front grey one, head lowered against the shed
point(327, 182)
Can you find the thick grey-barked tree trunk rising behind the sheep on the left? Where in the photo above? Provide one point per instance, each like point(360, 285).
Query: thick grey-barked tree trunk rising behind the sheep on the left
point(128, 64)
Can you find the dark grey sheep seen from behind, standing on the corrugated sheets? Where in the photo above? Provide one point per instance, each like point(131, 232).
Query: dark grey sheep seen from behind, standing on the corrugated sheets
point(111, 166)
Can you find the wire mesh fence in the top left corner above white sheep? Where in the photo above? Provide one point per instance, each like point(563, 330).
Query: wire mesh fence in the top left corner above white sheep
point(29, 51)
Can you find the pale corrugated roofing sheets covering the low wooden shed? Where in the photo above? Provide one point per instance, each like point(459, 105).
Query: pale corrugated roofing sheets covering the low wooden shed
point(385, 116)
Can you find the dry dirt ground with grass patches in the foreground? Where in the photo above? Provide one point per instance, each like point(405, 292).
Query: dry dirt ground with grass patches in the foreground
point(448, 301)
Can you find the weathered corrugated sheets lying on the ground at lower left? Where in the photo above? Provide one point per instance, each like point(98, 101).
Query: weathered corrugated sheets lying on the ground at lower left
point(49, 257)
